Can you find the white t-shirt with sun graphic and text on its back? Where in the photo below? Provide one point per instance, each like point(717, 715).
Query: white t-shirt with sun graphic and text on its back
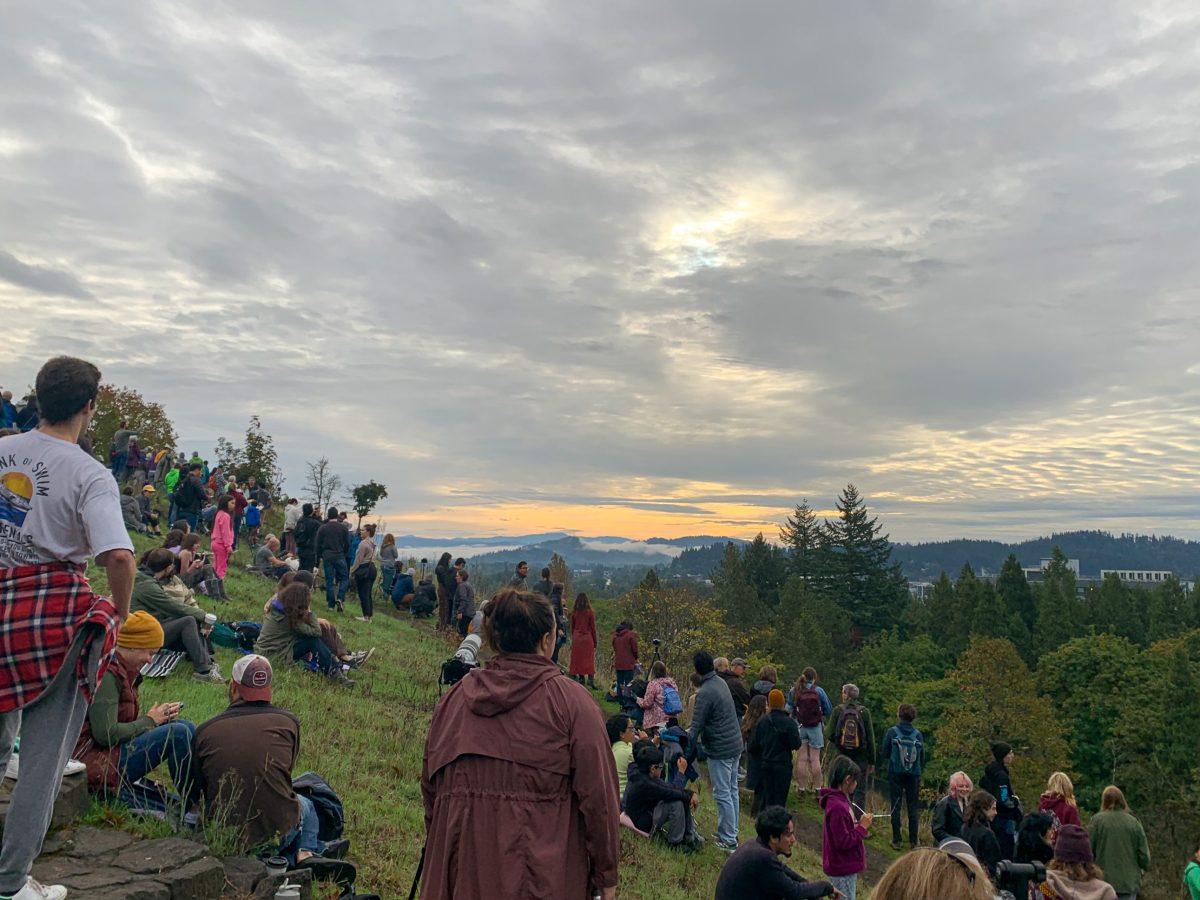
point(57, 503)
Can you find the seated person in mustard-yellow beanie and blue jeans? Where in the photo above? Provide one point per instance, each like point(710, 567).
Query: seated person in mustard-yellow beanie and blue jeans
point(118, 745)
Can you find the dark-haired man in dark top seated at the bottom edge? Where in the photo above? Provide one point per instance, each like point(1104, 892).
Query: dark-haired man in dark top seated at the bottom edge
point(757, 871)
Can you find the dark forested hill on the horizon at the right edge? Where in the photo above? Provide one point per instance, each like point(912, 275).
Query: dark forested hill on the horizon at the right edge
point(1094, 550)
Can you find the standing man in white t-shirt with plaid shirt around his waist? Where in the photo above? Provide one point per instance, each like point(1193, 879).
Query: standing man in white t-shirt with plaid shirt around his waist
point(58, 508)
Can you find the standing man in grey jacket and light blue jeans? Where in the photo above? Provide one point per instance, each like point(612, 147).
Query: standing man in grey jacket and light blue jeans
point(715, 723)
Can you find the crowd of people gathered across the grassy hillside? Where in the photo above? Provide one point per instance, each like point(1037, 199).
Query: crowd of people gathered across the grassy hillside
point(519, 741)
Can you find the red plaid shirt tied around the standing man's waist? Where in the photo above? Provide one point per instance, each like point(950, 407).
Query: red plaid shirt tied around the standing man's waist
point(43, 608)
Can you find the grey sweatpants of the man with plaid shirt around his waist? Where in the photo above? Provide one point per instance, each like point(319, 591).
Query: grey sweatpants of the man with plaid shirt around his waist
point(50, 729)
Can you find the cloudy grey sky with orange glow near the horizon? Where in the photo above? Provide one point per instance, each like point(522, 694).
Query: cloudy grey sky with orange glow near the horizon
point(635, 269)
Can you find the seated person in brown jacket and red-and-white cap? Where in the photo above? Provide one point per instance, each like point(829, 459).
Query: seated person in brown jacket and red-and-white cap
point(244, 760)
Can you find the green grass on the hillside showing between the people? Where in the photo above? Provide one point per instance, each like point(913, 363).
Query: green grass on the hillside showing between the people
point(368, 742)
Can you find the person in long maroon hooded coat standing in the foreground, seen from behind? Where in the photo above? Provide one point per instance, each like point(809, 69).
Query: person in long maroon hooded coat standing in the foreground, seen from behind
point(568, 845)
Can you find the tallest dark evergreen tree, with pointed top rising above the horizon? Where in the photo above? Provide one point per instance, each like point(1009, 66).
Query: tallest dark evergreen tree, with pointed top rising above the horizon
point(860, 574)
